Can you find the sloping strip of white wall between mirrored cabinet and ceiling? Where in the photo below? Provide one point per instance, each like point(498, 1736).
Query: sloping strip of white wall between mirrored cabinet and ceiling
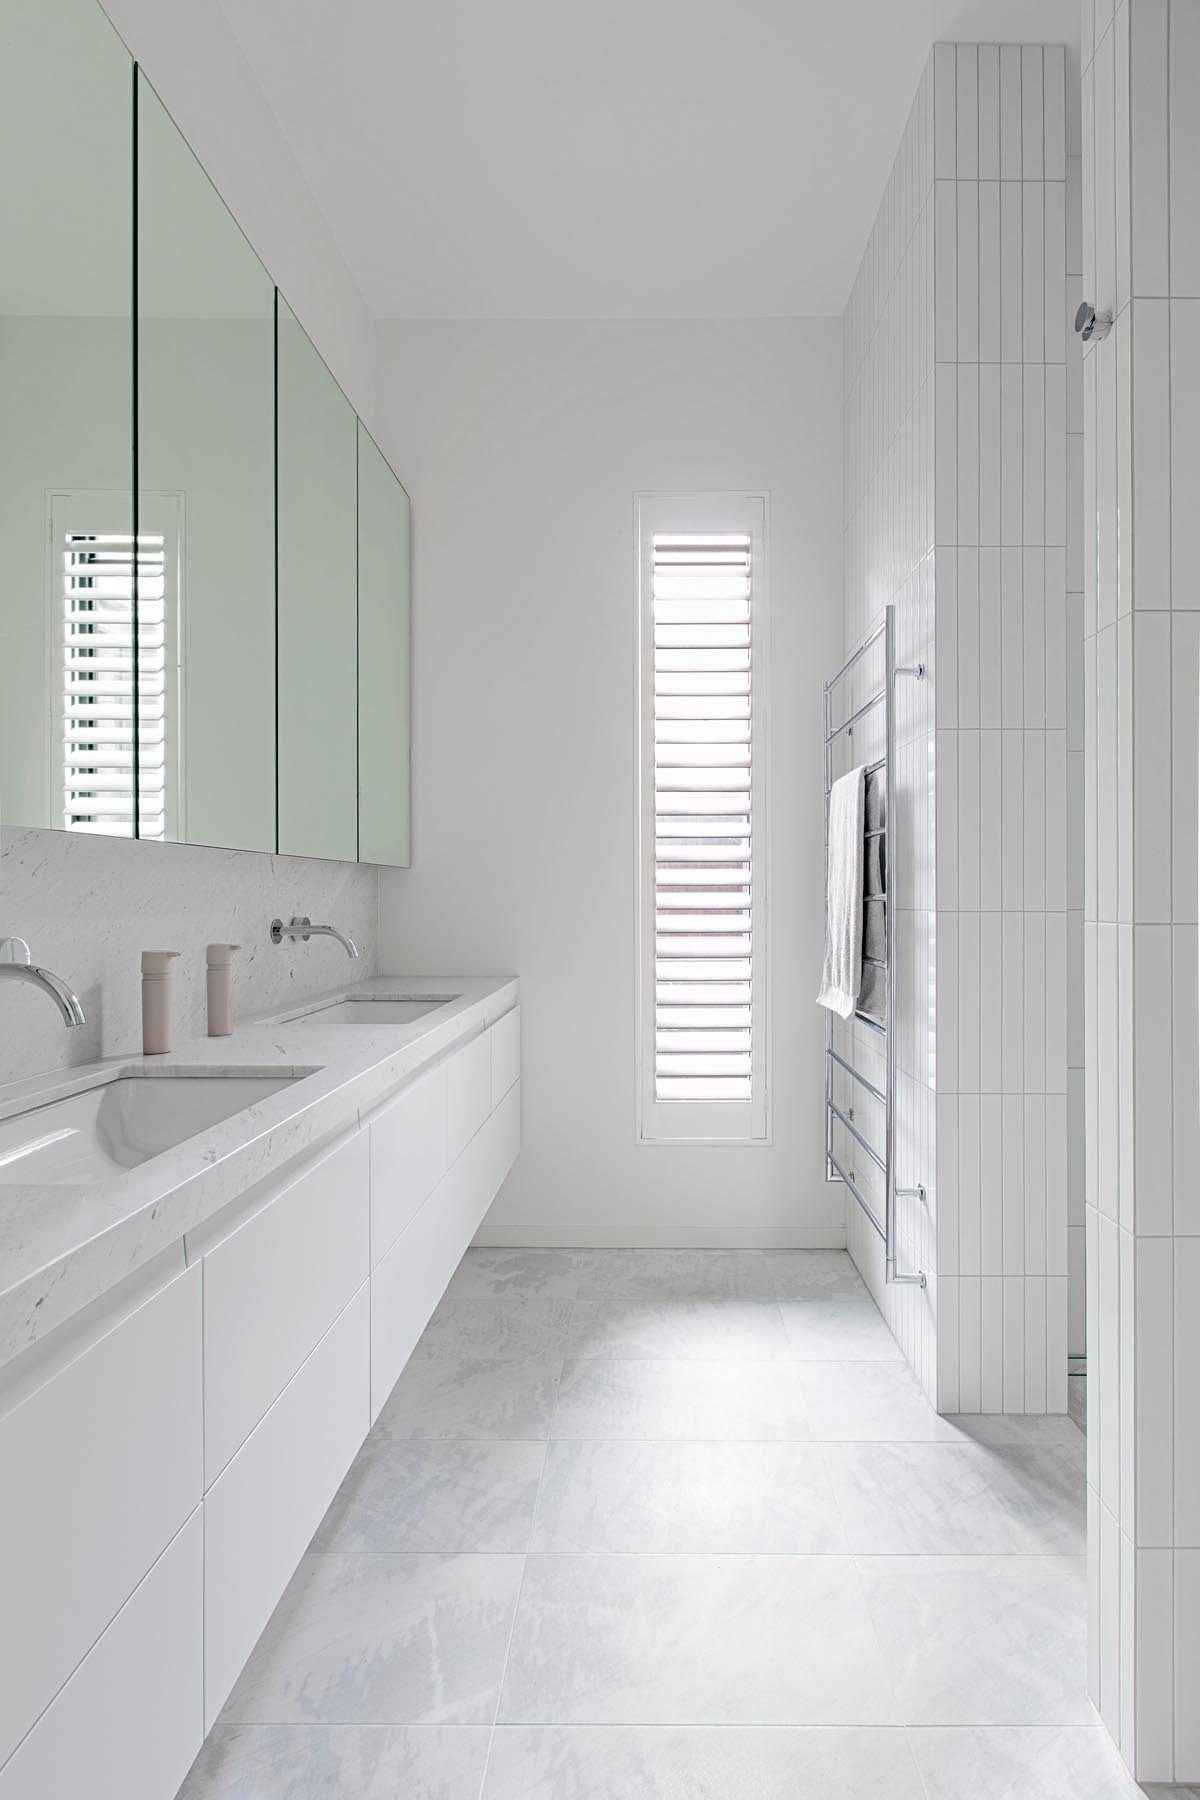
point(195, 62)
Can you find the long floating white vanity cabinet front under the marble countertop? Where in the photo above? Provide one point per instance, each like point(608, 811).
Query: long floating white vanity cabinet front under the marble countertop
point(170, 1453)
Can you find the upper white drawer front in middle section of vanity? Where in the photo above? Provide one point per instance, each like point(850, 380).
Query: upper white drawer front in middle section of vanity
point(274, 1288)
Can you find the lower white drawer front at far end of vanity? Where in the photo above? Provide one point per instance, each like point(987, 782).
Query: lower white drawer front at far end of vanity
point(413, 1277)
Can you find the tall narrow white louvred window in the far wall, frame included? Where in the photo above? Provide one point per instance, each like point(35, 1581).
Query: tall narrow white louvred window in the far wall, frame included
point(703, 939)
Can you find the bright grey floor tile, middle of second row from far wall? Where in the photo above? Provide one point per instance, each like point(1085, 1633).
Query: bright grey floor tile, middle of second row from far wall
point(712, 1331)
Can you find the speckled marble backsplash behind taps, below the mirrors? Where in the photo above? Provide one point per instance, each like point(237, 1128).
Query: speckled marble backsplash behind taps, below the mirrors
point(89, 906)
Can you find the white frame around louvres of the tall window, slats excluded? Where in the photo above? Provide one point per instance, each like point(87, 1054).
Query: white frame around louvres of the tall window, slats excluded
point(715, 1122)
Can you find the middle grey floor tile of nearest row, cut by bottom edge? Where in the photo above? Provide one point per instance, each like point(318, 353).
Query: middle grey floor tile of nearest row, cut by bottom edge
point(701, 1763)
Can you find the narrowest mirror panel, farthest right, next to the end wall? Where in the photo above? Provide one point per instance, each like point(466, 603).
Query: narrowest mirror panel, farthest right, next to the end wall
point(384, 660)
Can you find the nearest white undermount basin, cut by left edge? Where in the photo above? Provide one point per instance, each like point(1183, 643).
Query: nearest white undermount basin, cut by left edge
point(111, 1129)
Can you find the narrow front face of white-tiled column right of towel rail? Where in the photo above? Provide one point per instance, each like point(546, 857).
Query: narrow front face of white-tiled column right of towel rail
point(1001, 258)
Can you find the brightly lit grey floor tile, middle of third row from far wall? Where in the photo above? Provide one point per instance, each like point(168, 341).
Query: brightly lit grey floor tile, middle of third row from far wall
point(661, 1399)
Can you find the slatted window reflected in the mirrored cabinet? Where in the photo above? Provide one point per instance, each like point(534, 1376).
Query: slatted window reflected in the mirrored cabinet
point(100, 782)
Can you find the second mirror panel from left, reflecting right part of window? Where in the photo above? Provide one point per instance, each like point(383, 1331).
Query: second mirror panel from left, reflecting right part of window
point(206, 507)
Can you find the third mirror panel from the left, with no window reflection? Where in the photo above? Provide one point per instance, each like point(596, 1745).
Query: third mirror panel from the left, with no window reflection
point(318, 546)
